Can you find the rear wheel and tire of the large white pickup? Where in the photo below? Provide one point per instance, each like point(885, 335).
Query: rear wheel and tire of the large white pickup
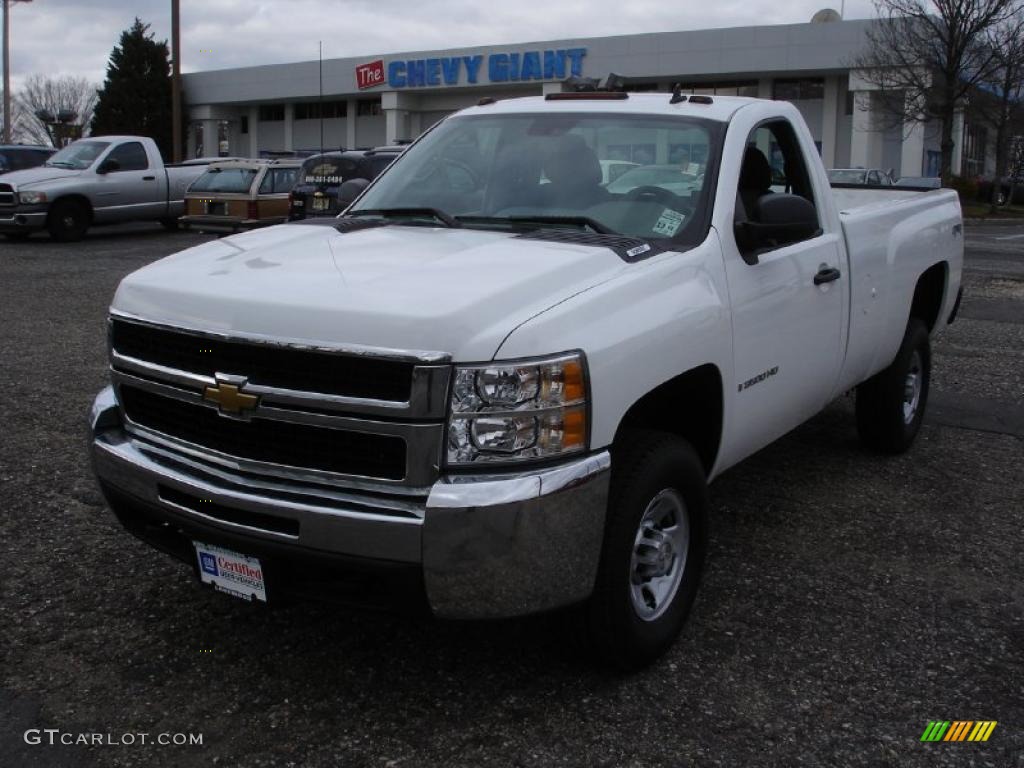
point(891, 404)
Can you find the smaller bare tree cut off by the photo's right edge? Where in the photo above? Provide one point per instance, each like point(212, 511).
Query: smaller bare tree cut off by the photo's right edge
point(1000, 98)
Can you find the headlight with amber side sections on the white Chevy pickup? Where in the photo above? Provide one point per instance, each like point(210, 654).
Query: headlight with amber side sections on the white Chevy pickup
point(519, 410)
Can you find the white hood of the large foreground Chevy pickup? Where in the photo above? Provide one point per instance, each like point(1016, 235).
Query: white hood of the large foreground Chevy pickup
point(458, 292)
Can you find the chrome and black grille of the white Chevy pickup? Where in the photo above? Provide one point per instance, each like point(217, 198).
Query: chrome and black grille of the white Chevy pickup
point(355, 437)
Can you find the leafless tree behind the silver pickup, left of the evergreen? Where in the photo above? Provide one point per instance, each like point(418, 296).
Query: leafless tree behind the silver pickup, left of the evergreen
point(54, 97)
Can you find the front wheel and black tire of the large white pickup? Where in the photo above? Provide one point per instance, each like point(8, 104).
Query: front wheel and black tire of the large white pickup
point(649, 467)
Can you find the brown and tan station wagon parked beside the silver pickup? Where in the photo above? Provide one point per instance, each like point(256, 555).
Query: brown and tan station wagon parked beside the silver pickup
point(241, 195)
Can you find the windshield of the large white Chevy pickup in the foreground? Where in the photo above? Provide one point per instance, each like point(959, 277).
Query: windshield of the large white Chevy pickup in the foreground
point(516, 172)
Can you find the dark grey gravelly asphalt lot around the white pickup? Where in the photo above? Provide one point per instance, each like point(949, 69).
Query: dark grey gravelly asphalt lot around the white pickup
point(848, 600)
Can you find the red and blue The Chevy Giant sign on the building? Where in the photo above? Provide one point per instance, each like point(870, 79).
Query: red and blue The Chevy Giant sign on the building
point(501, 68)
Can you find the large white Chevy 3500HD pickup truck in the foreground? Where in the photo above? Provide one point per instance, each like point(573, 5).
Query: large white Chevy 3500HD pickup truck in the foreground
point(495, 388)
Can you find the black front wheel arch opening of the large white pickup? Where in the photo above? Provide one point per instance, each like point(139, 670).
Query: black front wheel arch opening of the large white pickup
point(691, 405)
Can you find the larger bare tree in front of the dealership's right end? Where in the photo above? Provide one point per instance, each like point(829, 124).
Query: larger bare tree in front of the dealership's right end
point(925, 57)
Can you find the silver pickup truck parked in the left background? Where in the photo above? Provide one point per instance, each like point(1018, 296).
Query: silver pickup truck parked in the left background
point(96, 181)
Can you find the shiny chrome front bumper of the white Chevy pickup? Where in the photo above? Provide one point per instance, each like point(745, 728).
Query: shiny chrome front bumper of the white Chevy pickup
point(489, 546)
